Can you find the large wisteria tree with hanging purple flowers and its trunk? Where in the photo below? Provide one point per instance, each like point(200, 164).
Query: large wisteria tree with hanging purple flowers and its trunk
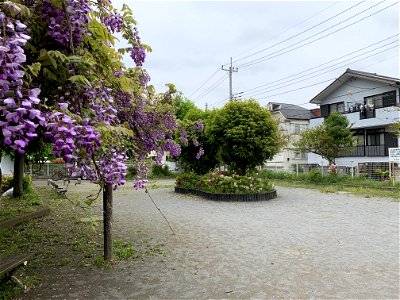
point(62, 81)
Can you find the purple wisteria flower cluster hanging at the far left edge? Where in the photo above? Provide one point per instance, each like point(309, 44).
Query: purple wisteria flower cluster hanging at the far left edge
point(19, 117)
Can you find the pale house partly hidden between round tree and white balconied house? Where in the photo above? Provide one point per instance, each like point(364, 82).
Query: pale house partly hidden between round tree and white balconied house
point(292, 119)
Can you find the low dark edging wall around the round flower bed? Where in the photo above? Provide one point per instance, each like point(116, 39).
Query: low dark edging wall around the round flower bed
point(228, 197)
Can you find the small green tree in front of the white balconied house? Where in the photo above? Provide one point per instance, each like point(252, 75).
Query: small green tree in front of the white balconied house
point(328, 139)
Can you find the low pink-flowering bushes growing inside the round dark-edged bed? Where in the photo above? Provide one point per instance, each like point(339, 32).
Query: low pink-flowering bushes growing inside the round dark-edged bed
point(224, 183)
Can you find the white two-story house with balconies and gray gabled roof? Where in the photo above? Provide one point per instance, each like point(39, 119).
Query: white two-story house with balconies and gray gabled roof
point(371, 104)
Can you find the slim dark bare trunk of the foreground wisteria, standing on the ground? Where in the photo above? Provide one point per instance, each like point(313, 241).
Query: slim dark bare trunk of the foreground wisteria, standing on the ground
point(107, 221)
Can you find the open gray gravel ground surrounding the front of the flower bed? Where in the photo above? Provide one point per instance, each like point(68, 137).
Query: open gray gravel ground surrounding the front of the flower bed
point(303, 244)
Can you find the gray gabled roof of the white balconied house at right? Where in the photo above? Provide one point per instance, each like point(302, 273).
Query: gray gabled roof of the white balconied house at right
point(353, 73)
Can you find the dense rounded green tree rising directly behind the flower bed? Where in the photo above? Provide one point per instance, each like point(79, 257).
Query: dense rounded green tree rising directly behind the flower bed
point(245, 134)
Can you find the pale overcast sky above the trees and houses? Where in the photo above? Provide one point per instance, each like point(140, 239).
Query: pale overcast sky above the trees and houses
point(282, 51)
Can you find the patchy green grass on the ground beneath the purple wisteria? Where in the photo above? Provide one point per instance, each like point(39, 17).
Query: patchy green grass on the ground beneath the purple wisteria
point(61, 240)
